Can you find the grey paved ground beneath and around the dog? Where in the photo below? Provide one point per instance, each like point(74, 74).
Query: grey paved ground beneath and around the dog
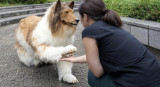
point(15, 74)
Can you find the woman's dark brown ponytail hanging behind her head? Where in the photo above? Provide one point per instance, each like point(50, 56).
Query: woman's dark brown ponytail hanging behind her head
point(112, 18)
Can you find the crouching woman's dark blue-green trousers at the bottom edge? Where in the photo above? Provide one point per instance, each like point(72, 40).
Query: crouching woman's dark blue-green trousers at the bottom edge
point(104, 81)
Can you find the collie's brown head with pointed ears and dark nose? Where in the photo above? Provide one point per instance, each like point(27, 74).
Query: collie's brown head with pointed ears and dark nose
point(62, 15)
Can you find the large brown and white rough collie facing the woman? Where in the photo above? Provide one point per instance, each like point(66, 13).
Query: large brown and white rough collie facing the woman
point(49, 38)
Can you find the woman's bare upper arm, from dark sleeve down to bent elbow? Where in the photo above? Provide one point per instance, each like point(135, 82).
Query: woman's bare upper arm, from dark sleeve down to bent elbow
point(92, 56)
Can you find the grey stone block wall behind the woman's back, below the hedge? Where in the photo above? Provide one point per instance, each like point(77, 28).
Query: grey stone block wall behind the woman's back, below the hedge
point(147, 32)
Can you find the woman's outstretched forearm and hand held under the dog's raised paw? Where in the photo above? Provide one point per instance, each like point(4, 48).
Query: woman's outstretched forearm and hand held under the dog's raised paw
point(80, 59)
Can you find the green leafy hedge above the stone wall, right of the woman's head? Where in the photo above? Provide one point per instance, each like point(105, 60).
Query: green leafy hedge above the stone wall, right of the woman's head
point(140, 9)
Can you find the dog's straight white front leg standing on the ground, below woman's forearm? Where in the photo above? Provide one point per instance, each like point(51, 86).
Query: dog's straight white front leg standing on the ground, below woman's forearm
point(65, 72)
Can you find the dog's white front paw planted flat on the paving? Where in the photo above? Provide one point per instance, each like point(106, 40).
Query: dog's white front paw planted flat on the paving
point(70, 78)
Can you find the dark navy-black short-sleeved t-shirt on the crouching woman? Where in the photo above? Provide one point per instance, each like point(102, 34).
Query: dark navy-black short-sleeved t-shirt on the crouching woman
point(123, 57)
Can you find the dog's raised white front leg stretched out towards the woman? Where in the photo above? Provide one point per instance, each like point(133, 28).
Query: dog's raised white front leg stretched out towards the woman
point(51, 54)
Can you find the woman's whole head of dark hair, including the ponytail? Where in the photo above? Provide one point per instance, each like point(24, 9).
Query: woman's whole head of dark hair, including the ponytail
point(96, 9)
